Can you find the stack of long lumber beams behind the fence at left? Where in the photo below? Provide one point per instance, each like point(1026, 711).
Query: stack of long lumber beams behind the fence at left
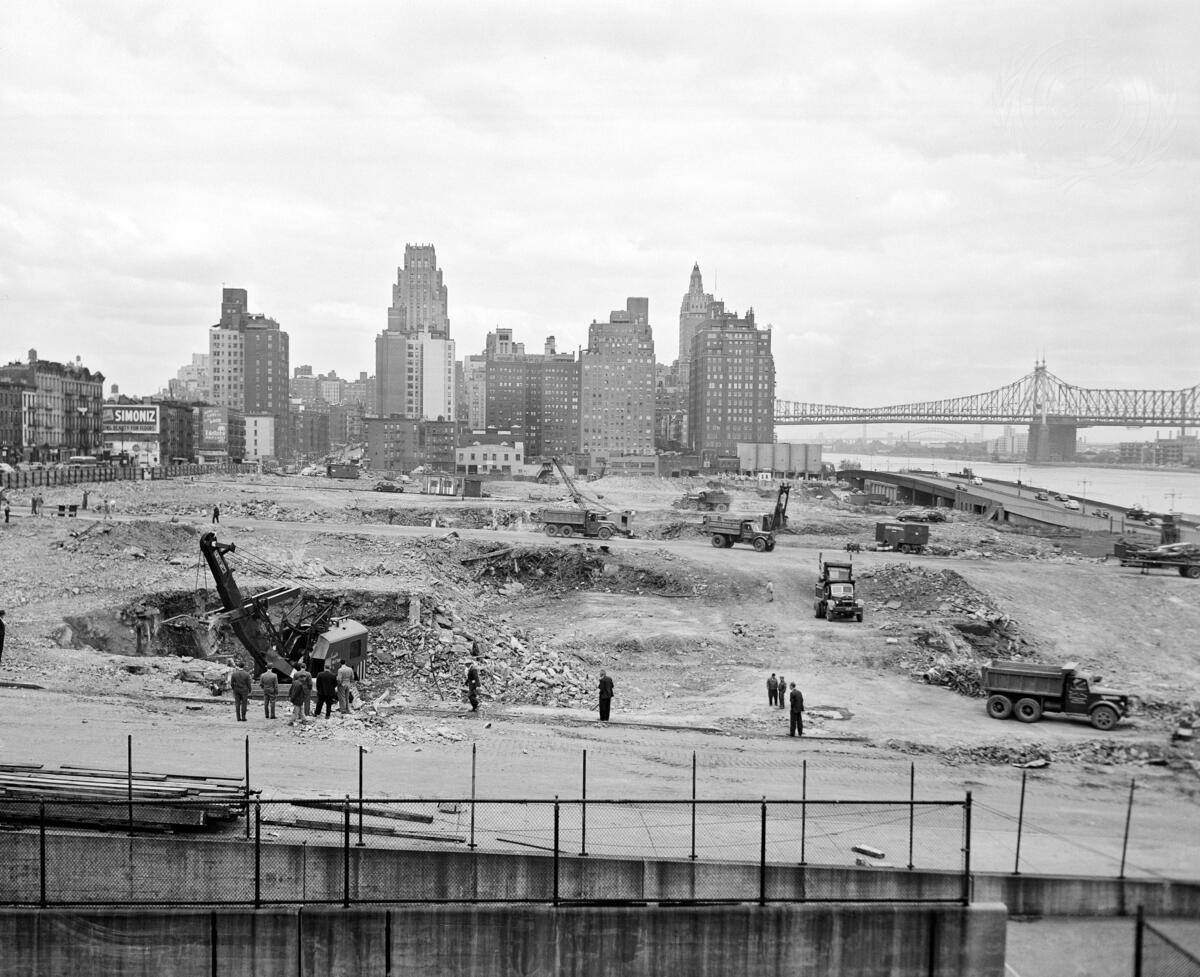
point(89, 798)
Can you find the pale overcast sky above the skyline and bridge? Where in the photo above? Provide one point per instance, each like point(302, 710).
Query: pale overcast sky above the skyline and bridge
point(922, 199)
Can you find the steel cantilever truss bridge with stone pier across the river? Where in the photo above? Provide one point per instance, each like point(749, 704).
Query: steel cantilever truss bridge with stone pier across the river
point(1053, 409)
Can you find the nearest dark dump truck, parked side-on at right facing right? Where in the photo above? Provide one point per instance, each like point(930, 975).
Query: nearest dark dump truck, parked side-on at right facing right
point(1027, 692)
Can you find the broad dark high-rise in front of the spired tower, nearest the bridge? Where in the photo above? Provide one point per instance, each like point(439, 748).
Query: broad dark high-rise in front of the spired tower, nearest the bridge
point(733, 385)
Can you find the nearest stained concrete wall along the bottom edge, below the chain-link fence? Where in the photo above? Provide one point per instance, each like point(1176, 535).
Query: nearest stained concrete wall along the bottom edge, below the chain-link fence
point(473, 942)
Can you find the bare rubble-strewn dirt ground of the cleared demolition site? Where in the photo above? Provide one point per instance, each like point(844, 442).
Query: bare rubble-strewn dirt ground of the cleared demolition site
point(689, 632)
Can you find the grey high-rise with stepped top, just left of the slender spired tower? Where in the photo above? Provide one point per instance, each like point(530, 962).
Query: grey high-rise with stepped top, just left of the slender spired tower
point(617, 385)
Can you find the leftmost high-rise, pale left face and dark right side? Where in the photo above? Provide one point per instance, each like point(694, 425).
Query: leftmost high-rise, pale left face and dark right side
point(248, 359)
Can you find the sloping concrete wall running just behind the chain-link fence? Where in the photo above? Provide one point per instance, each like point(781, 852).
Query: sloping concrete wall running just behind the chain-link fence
point(181, 871)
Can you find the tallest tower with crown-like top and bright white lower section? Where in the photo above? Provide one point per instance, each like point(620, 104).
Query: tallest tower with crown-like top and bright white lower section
point(416, 356)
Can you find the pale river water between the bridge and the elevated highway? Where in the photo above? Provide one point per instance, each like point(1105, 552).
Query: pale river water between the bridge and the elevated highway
point(1161, 490)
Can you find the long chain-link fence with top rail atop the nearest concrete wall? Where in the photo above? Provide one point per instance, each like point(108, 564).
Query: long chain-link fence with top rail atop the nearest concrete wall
point(255, 852)
